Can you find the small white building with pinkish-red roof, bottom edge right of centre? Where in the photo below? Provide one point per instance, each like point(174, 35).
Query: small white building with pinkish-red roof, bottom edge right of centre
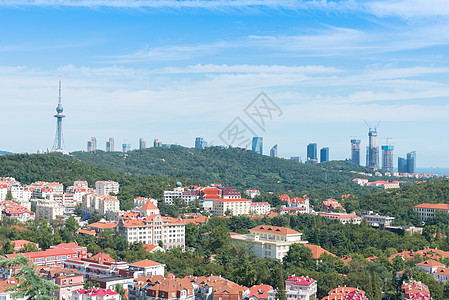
point(298, 287)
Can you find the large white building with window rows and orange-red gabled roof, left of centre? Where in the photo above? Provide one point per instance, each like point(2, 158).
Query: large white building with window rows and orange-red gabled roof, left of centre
point(152, 229)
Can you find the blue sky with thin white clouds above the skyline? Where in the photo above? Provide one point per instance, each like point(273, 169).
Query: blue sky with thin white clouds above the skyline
point(175, 70)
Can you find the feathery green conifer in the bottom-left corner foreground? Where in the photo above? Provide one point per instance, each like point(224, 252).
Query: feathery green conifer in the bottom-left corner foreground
point(30, 284)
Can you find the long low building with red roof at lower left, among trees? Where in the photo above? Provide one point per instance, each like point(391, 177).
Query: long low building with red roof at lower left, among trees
point(55, 255)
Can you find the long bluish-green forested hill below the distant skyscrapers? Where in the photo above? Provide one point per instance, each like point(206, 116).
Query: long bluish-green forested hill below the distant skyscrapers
point(235, 167)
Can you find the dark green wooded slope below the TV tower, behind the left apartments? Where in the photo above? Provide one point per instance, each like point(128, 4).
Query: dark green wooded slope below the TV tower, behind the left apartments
point(30, 168)
